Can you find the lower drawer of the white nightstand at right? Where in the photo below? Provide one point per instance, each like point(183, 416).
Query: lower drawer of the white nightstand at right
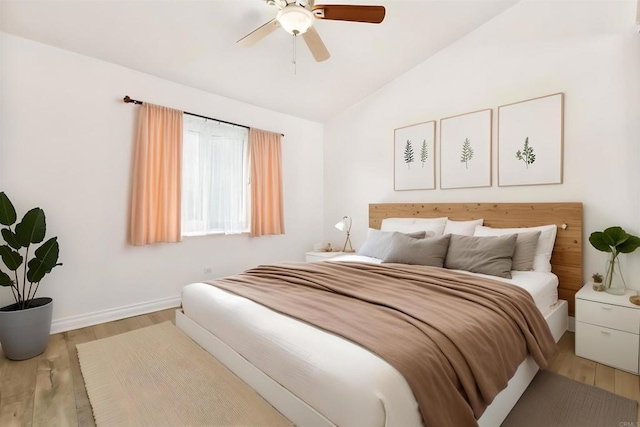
point(608, 346)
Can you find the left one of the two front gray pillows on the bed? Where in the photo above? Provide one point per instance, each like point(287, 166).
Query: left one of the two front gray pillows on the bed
point(430, 251)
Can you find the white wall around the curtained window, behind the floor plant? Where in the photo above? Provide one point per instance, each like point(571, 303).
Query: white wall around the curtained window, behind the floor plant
point(66, 145)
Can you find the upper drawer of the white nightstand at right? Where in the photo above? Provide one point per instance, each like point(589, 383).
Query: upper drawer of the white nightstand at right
point(608, 315)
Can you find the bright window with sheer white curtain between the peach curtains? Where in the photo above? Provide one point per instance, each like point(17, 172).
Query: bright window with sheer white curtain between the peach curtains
point(214, 177)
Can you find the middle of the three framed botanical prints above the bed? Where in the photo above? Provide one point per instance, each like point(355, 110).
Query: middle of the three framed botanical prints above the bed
point(465, 150)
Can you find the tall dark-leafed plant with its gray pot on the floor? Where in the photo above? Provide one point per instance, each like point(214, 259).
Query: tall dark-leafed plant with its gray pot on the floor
point(25, 325)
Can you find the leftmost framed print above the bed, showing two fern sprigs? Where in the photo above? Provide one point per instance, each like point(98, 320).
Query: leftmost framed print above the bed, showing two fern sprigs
point(413, 157)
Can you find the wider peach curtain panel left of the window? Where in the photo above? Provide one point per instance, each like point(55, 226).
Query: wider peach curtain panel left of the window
point(157, 171)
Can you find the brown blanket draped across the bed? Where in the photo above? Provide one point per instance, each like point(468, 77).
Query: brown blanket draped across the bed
point(456, 339)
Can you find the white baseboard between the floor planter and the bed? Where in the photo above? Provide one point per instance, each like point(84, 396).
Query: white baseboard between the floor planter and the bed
point(90, 319)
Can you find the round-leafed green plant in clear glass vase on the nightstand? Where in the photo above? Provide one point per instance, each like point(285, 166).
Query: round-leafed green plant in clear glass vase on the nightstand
point(616, 241)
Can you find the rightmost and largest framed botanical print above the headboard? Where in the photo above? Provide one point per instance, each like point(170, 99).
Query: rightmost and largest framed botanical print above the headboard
point(530, 141)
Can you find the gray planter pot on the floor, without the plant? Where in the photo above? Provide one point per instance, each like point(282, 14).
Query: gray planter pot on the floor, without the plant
point(24, 333)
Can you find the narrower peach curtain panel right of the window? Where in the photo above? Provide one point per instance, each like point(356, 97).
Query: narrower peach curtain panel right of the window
point(267, 212)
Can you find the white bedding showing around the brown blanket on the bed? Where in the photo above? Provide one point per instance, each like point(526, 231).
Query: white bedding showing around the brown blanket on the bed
point(343, 381)
